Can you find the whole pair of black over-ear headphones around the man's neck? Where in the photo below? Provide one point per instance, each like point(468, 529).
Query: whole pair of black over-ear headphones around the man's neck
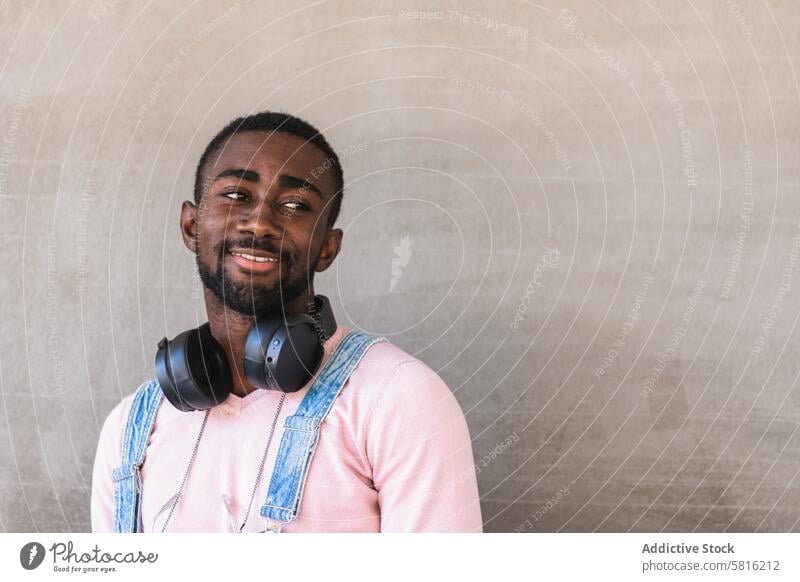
point(279, 354)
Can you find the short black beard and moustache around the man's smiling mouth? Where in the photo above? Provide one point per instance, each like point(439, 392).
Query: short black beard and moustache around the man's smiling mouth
point(250, 298)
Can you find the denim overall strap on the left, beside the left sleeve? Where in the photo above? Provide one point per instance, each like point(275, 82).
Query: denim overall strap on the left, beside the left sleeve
point(127, 477)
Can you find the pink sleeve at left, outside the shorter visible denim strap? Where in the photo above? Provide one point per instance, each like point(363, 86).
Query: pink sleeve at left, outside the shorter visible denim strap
point(107, 458)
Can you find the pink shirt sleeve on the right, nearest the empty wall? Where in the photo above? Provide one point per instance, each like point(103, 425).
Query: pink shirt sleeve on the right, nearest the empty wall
point(420, 450)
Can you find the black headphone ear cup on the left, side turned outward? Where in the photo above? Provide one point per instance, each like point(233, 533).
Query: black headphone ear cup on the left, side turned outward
point(193, 371)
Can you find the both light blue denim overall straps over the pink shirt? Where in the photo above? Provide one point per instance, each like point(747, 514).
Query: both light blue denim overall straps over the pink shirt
point(300, 436)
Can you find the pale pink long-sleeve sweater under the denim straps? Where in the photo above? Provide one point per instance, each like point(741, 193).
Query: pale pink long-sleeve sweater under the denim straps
point(394, 454)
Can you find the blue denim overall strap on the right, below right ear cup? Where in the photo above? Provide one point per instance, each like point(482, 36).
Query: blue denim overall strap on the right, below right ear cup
point(301, 431)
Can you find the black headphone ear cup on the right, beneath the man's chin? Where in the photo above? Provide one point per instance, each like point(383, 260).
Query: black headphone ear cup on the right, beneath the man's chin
point(282, 355)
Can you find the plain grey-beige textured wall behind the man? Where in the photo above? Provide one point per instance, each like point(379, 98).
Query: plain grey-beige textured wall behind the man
point(598, 201)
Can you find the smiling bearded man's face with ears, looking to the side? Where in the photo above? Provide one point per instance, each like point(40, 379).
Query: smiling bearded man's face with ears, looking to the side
point(260, 230)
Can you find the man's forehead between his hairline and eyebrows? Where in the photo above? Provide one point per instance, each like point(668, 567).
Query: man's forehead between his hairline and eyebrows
point(271, 154)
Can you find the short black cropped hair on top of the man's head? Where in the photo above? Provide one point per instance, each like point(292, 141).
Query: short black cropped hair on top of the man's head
point(275, 122)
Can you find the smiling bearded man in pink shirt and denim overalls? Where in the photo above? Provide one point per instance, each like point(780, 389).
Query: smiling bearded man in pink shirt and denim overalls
point(393, 452)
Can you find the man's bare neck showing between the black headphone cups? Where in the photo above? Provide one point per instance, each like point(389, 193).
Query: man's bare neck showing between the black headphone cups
point(230, 329)
